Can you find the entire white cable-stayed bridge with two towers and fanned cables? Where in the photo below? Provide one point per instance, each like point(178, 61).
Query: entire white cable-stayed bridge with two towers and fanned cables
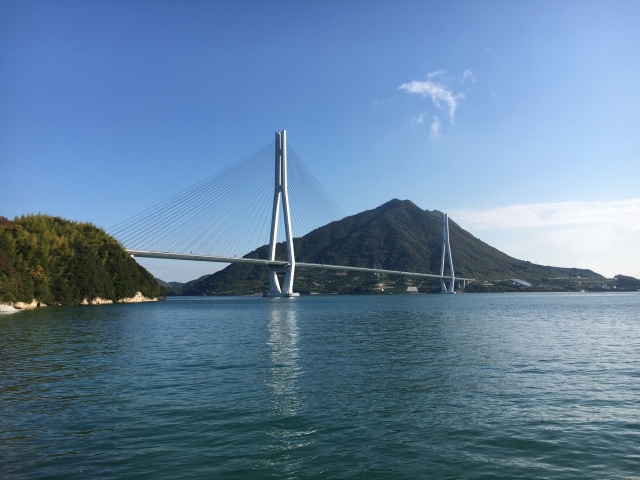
point(234, 211)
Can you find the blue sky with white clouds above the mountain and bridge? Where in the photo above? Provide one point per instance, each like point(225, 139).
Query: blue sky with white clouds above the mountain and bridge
point(466, 107)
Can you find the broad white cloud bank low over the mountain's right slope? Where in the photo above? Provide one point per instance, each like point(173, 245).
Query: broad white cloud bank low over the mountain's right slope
point(602, 236)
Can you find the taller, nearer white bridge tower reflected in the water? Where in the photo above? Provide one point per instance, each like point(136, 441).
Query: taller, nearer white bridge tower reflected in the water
point(281, 192)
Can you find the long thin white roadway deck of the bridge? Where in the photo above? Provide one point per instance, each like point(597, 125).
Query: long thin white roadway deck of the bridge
point(279, 263)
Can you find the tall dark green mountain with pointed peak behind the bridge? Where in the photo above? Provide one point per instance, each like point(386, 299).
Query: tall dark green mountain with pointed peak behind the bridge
point(395, 236)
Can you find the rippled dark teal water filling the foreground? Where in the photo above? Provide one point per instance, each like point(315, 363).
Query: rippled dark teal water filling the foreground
point(462, 386)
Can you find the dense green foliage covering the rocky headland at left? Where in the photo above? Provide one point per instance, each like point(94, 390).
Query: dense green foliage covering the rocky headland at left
point(54, 260)
